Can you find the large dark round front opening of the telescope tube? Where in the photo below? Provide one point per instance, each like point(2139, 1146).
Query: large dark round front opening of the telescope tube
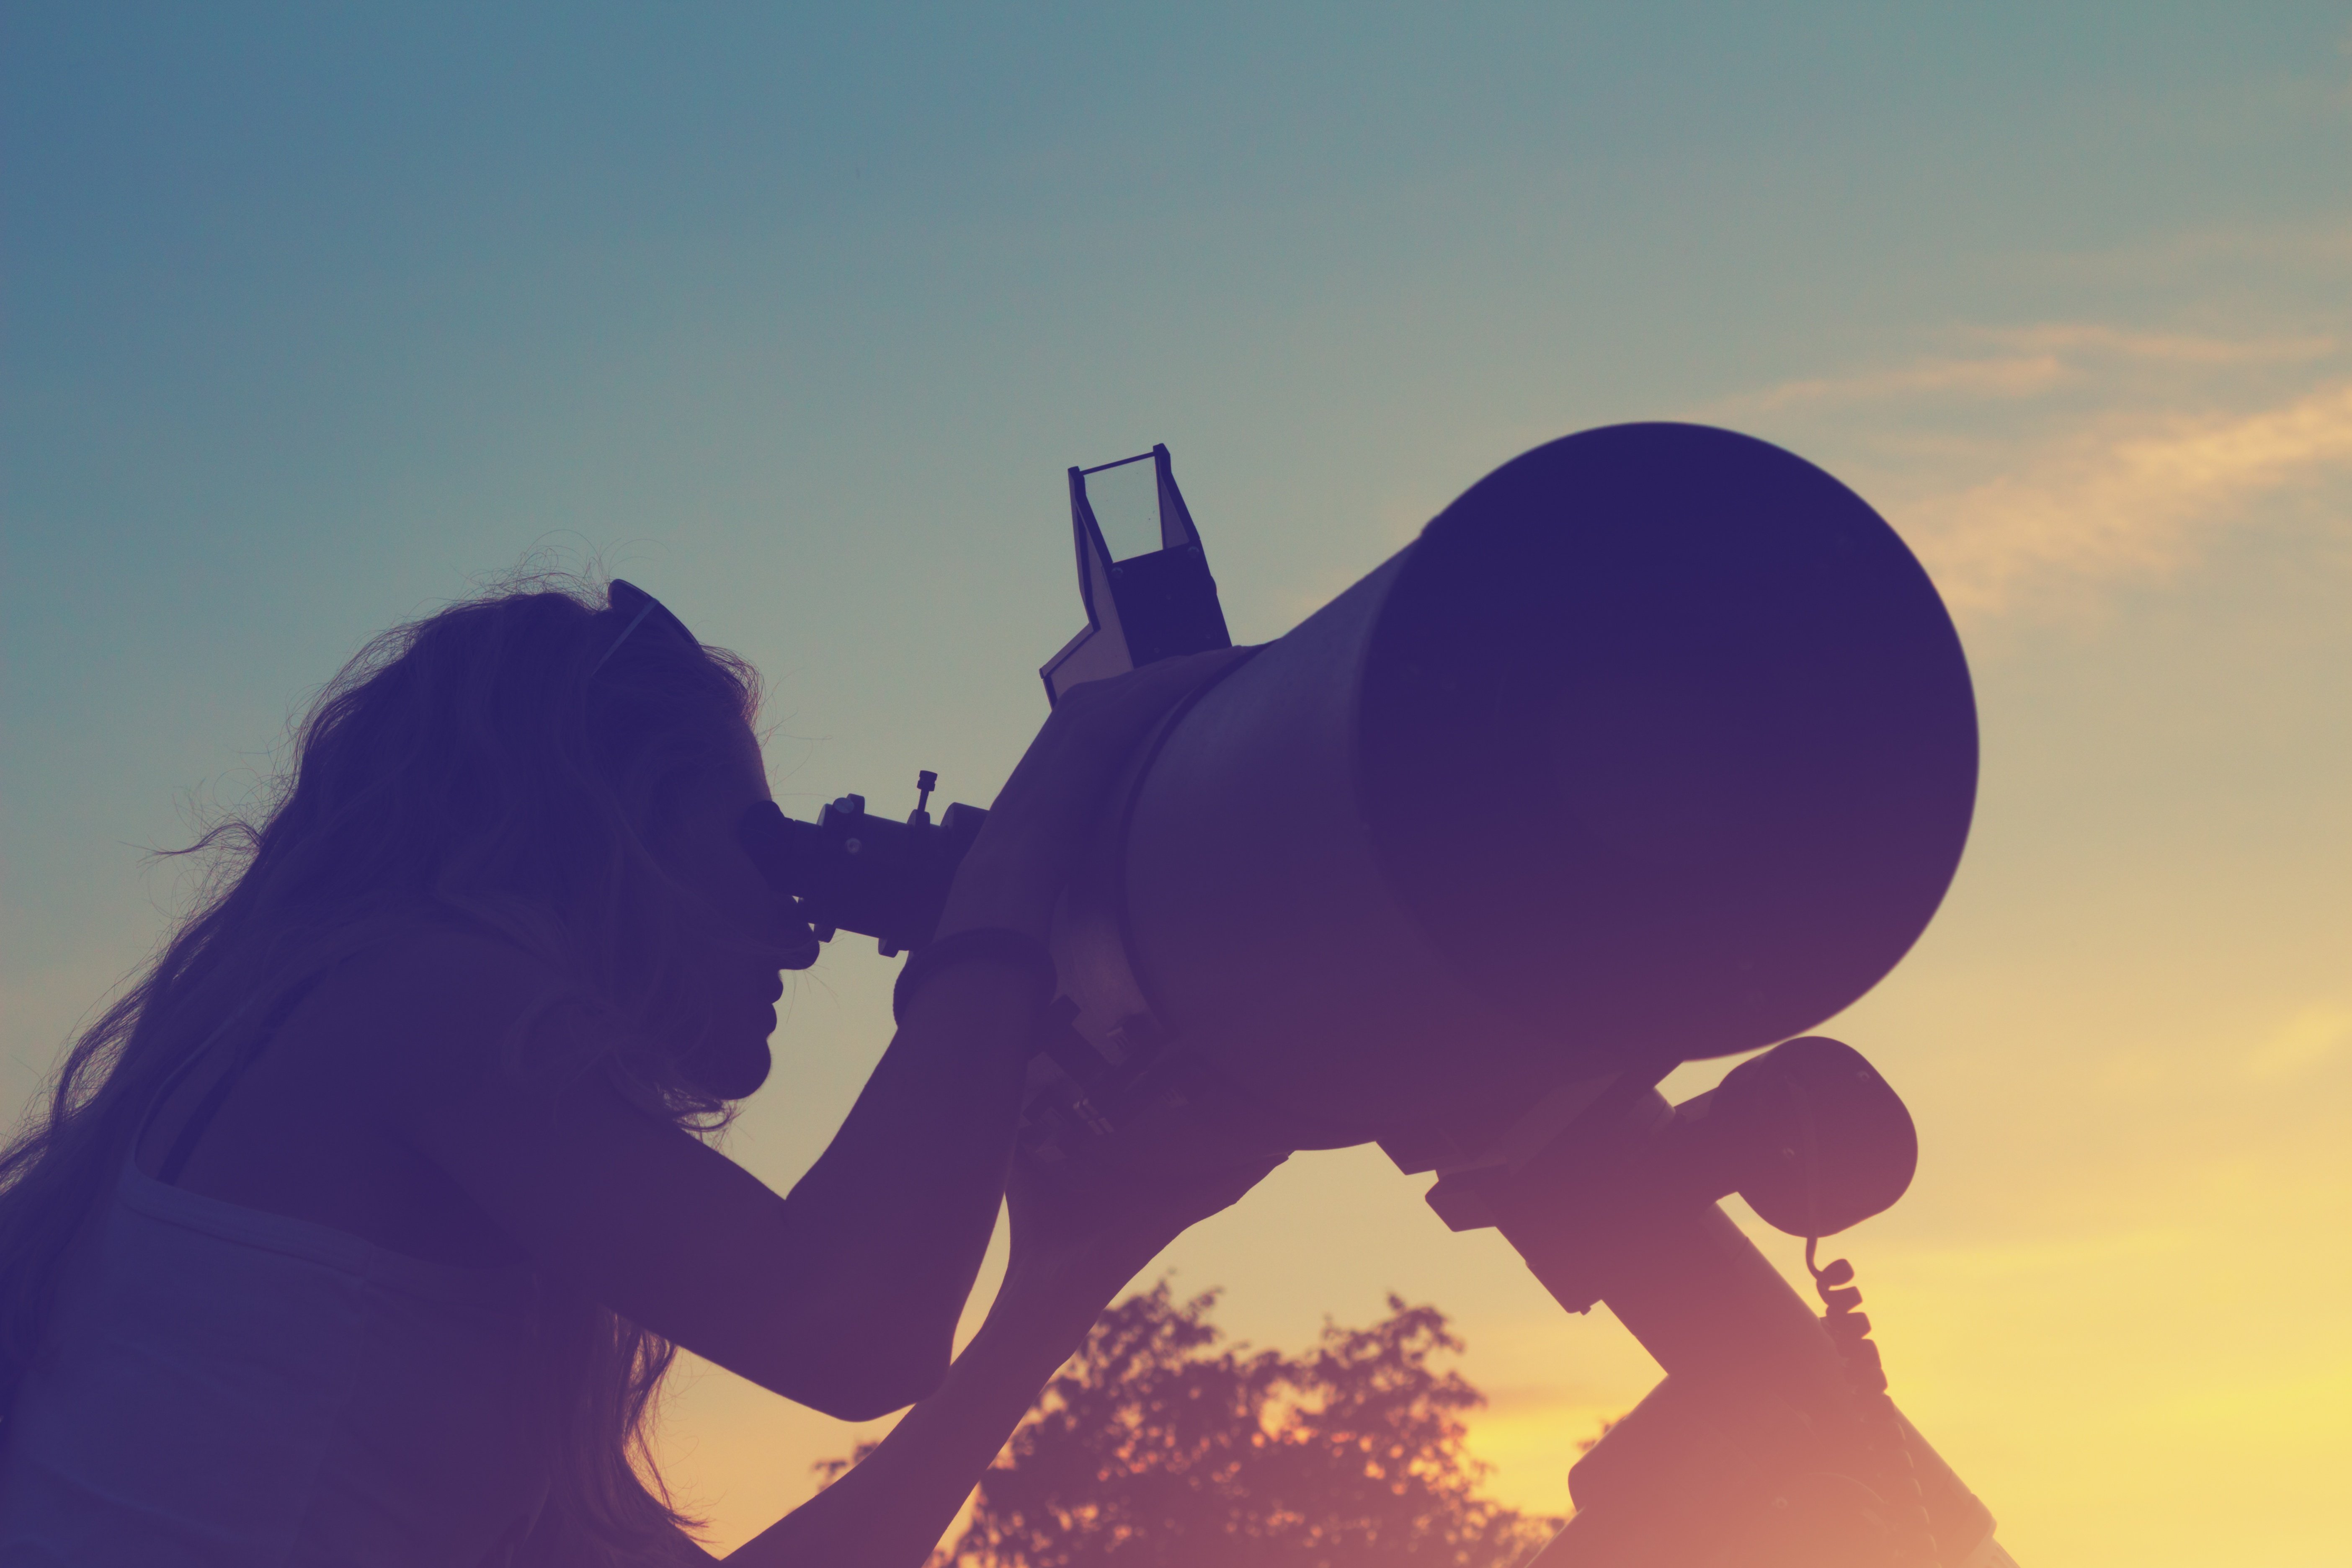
point(1669, 742)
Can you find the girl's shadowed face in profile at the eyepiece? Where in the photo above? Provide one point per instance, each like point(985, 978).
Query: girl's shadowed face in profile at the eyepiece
point(754, 934)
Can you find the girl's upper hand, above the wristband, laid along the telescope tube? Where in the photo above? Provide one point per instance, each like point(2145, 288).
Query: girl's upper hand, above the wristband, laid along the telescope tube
point(1045, 817)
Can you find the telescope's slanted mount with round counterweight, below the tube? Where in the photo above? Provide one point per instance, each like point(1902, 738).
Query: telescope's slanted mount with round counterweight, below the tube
point(1758, 1440)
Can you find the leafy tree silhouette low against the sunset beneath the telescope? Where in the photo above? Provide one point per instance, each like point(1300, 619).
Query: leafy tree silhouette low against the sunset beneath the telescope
point(1158, 1447)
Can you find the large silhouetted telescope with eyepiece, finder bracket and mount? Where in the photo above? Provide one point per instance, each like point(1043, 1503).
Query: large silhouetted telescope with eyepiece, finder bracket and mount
point(1655, 746)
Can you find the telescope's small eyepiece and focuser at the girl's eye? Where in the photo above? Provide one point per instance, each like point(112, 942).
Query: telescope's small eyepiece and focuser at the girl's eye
point(855, 871)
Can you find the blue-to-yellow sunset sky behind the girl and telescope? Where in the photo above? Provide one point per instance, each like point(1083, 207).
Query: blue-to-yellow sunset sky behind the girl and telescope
point(319, 319)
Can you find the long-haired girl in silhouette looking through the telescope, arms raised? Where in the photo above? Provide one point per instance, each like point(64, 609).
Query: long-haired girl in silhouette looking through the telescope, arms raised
point(363, 1228)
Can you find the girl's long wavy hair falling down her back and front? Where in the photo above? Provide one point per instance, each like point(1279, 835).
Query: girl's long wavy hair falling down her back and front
point(502, 765)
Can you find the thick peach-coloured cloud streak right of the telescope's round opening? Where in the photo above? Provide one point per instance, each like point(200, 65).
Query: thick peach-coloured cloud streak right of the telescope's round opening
point(2132, 497)
